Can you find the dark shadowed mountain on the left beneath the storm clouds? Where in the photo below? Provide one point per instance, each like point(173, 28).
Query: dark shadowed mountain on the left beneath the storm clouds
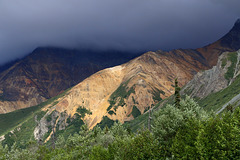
point(48, 71)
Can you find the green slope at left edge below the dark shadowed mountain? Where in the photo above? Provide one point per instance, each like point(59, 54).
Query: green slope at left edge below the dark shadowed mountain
point(23, 122)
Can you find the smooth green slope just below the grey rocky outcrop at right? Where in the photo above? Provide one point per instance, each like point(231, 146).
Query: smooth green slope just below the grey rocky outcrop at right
point(216, 100)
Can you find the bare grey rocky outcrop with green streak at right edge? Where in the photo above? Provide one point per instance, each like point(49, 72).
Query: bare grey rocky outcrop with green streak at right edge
point(215, 79)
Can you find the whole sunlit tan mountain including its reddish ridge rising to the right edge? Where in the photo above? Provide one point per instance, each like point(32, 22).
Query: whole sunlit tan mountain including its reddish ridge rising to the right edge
point(123, 92)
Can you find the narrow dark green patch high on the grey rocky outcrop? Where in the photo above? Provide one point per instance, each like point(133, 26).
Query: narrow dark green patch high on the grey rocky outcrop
point(232, 57)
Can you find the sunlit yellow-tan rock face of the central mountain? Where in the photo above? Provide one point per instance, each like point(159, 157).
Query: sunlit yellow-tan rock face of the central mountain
point(141, 82)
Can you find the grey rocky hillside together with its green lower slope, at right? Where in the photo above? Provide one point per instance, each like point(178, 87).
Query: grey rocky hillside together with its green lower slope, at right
point(218, 87)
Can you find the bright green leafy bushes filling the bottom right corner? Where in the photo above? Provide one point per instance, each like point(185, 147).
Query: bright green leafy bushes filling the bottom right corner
point(216, 138)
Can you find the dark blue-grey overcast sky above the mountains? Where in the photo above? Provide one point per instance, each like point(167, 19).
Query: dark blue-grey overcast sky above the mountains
point(112, 24)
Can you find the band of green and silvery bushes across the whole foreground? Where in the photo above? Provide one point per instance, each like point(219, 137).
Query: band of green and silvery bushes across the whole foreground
point(186, 133)
